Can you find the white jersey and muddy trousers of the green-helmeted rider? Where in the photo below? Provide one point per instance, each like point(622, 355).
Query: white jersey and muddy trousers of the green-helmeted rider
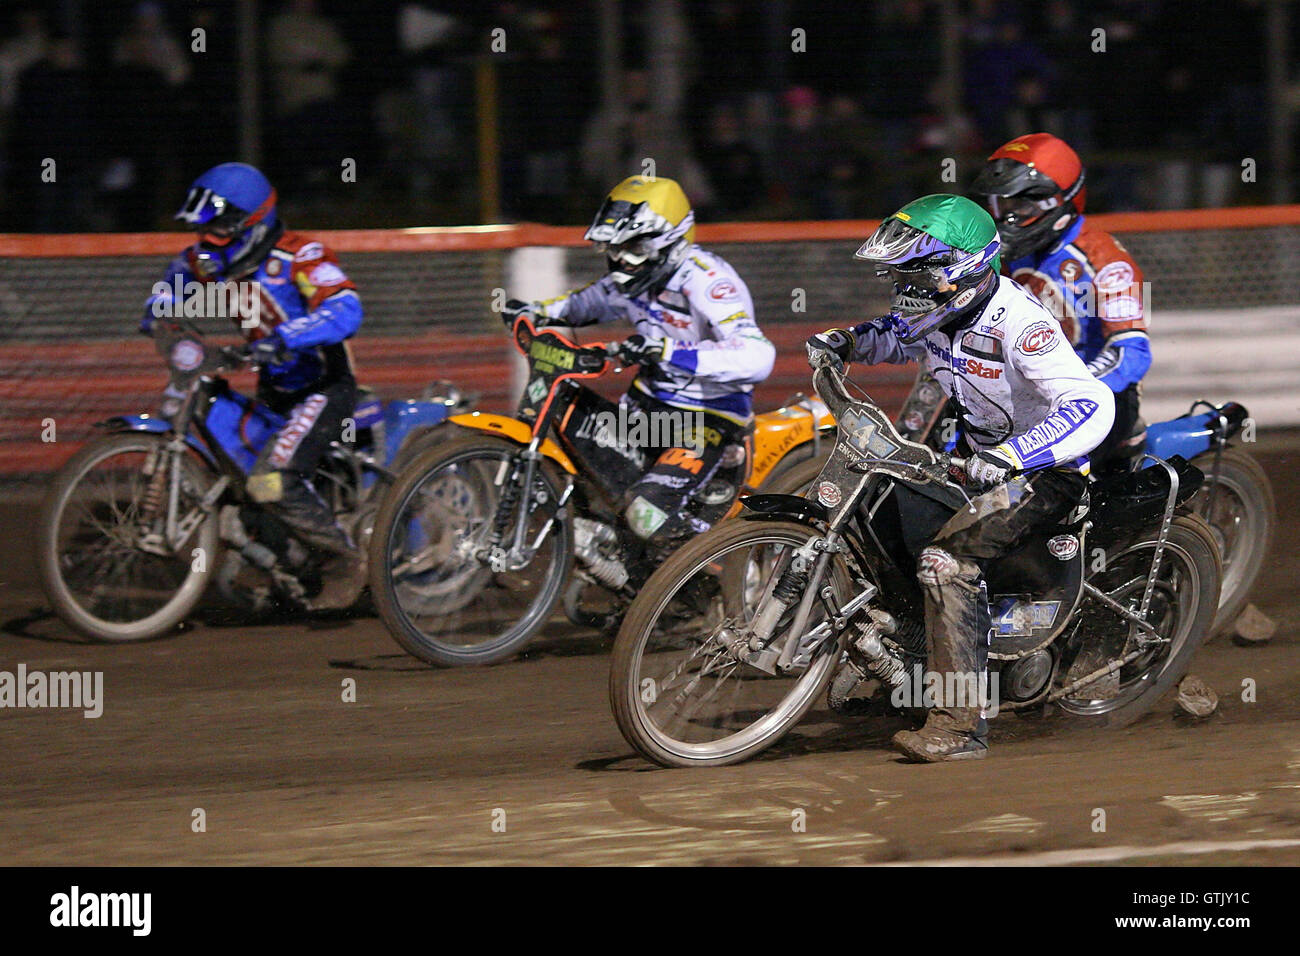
point(1026, 396)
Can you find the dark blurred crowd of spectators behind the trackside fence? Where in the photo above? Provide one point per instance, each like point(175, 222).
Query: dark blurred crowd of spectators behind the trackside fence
point(470, 111)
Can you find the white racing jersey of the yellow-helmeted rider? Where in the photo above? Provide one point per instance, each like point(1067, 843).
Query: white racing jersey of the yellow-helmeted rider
point(713, 351)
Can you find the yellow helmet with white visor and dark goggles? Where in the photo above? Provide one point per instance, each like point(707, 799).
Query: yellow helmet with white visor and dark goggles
point(645, 227)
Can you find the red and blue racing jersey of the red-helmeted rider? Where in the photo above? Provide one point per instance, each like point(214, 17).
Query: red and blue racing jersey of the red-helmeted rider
point(1095, 289)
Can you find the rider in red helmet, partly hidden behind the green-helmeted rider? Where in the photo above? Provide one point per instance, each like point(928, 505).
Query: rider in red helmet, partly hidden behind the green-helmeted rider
point(1035, 189)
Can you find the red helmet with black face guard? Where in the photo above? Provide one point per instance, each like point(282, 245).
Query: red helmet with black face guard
point(1034, 189)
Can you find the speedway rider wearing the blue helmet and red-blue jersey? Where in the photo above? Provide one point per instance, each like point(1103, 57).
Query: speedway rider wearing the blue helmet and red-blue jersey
point(306, 310)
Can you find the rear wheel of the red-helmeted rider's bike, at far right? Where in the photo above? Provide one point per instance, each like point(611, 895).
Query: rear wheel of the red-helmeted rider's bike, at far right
point(1242, 518)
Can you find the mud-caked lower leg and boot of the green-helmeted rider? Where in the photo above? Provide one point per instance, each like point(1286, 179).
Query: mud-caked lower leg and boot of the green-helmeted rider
point(957, 626)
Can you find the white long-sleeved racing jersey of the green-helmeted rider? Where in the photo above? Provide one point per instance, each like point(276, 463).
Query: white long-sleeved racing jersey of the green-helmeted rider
point(1020, 387)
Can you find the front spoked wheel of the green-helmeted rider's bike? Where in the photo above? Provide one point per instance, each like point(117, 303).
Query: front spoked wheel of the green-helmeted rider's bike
point(681, 693)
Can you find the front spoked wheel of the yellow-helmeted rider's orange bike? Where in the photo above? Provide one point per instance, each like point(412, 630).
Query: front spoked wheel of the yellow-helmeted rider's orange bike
point(441, 591)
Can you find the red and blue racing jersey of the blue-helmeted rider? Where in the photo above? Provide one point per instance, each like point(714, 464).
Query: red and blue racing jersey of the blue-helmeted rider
point(298, 293)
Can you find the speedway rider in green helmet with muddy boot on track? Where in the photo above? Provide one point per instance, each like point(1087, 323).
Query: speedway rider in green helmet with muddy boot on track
point(1030, 410)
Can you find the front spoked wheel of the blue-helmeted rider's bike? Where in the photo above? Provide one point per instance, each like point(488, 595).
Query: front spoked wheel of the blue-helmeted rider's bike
point(102, 553)
